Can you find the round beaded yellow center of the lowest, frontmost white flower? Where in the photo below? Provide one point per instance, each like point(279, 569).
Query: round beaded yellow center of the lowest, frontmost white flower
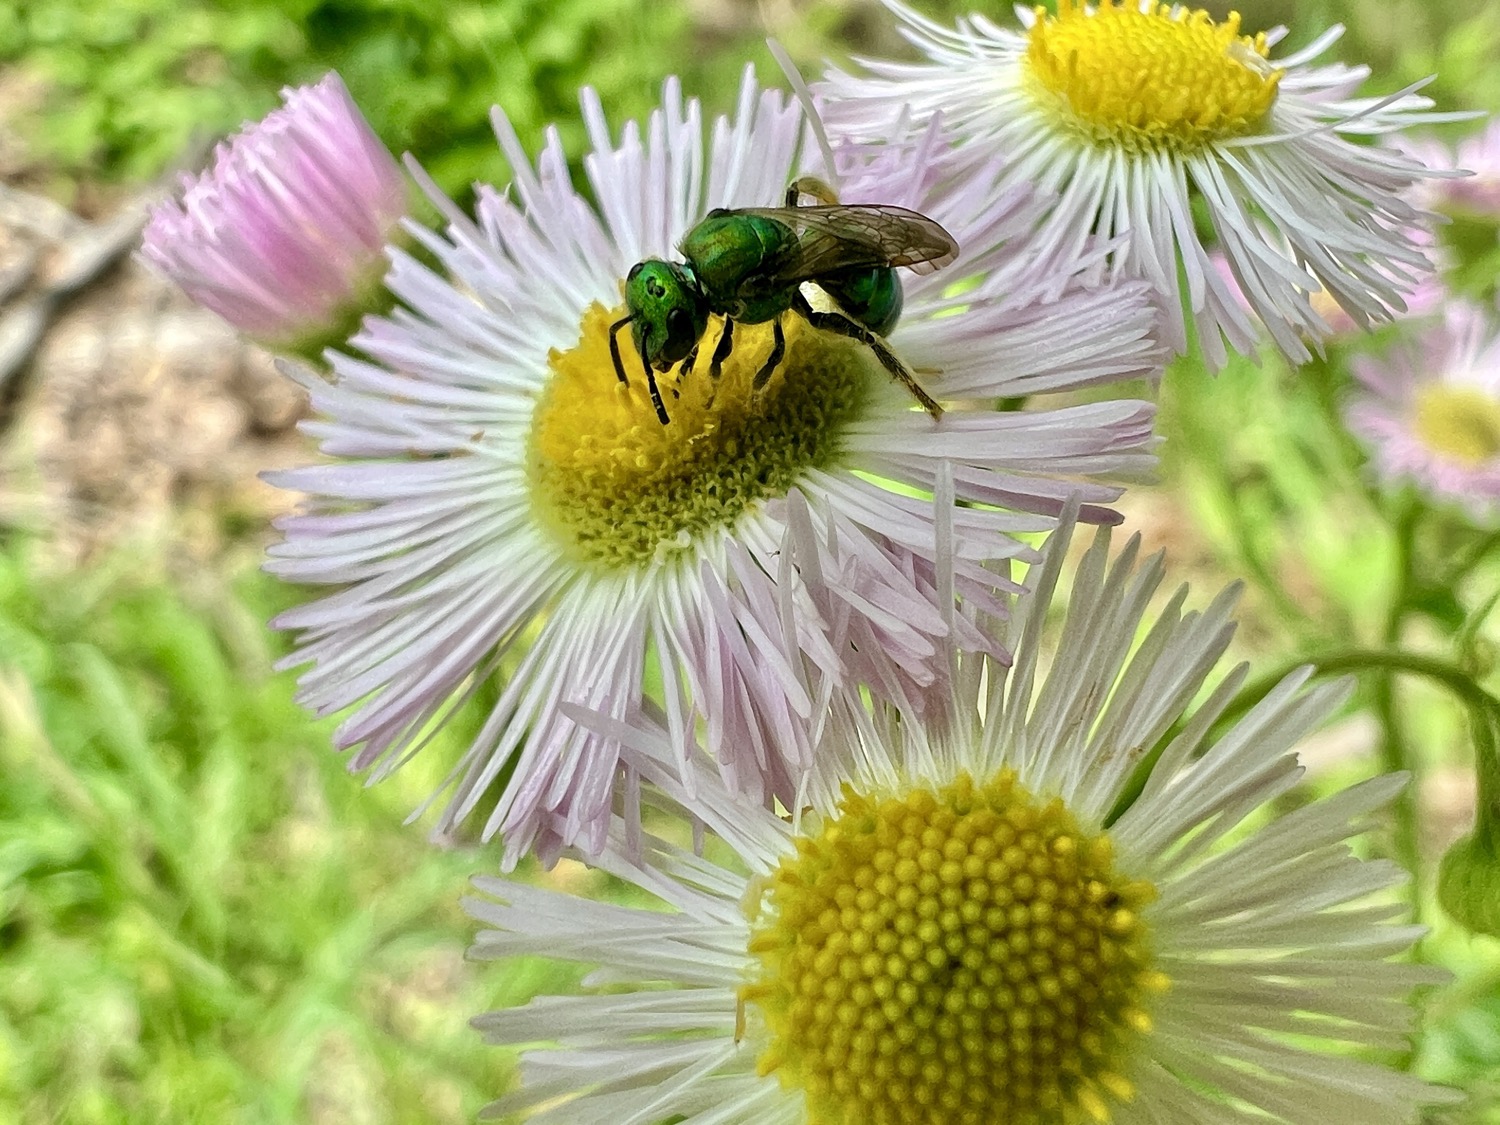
point(961, 956)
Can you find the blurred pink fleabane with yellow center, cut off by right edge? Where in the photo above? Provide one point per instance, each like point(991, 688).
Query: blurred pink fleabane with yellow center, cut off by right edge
point(1430, 410)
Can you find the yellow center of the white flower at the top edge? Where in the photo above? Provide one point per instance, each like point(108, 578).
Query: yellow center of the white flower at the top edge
point(1150, 80)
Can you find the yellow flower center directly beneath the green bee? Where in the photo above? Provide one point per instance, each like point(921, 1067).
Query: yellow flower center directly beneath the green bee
point(617, 488)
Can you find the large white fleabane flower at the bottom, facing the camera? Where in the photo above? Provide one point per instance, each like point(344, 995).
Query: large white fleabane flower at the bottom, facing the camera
point(967, 922)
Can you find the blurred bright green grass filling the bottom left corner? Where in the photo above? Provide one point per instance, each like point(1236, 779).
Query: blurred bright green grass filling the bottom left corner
point(202, 917)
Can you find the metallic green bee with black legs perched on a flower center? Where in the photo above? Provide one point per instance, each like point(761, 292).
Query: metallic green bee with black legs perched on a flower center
point(749, 265)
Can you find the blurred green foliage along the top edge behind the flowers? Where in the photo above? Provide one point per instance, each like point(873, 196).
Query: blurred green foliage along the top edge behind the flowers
point(130, 85)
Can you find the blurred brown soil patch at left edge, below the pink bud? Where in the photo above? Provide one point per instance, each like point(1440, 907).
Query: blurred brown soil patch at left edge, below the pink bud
point(142, 415)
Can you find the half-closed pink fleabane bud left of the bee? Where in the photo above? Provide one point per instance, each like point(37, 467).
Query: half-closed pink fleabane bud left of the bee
point(284, 236)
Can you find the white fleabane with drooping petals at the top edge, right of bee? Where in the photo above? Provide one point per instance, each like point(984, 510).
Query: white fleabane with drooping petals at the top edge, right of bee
point(1135, 110)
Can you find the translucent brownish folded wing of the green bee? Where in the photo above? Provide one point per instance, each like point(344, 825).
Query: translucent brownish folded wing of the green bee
point(853, 236)
